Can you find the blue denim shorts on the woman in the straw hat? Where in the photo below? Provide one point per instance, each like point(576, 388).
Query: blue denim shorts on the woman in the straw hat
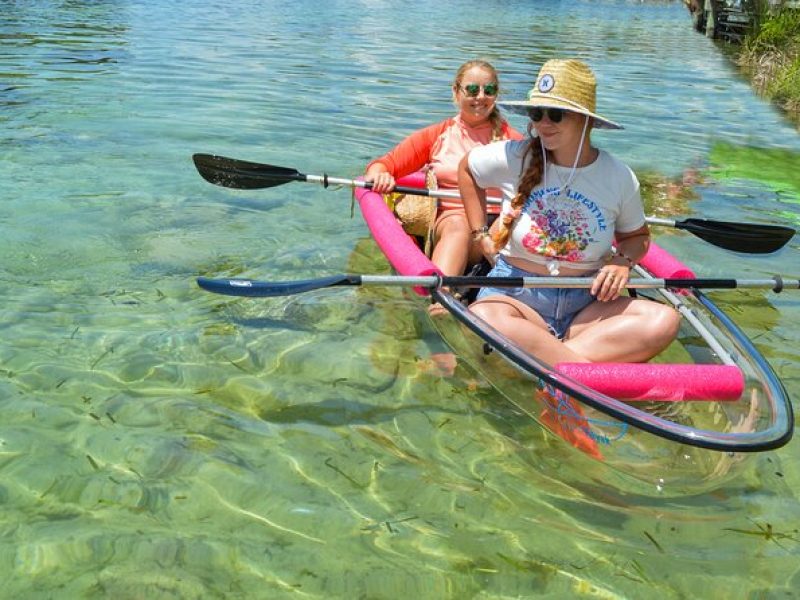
point(557, 306)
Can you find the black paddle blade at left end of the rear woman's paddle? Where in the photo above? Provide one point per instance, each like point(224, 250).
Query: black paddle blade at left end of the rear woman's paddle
point(242, 175)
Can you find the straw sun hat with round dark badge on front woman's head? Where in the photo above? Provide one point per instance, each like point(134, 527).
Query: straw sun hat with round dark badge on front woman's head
point(568, 84)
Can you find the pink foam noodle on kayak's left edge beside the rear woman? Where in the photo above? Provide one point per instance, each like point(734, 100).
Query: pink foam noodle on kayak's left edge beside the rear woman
point(400, 248)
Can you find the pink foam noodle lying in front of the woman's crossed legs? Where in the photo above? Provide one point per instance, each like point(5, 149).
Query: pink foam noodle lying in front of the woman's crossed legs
point(661, 382)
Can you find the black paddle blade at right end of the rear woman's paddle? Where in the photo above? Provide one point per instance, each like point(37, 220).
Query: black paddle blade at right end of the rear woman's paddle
point(749, 238)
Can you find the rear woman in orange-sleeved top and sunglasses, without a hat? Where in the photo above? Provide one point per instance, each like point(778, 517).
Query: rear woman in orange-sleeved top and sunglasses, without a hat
point(439, 148)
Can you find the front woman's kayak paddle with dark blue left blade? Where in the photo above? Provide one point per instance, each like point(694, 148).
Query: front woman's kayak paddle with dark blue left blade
point(266, 289)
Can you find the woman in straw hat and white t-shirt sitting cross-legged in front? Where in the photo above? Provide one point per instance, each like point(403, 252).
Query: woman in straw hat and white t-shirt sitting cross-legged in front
point(566, 205)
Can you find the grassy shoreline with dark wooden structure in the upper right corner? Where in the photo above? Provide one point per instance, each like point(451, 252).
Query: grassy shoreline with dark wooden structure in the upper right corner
point(767, 33)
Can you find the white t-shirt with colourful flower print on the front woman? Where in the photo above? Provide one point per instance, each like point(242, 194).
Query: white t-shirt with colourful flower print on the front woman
point(574, 227)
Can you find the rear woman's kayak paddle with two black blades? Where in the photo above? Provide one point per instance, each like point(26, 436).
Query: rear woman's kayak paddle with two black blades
point(750, 238)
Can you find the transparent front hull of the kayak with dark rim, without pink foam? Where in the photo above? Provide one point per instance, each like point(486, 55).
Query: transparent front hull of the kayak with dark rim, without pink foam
point(667, 446)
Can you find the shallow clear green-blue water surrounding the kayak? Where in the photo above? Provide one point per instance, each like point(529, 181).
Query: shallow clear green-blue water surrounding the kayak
point(157, 441)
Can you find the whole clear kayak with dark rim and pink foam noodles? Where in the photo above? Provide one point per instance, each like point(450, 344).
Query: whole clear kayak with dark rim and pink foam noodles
point(687, 419)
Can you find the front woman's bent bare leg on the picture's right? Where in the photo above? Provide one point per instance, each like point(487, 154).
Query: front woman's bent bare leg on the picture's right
point(624, 330)
